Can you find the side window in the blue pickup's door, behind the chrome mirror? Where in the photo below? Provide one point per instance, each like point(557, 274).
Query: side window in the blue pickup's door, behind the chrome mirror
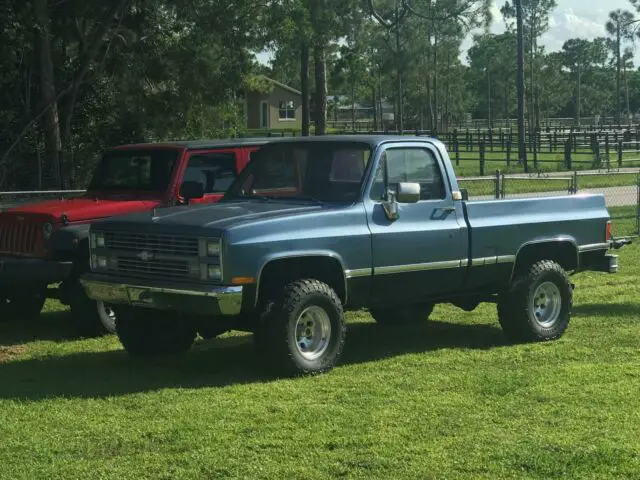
point(416, 165)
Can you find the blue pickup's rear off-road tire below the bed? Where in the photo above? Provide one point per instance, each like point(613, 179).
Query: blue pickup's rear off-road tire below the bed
point(517, 306)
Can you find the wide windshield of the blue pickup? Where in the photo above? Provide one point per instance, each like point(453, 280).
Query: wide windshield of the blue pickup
point(316, 171)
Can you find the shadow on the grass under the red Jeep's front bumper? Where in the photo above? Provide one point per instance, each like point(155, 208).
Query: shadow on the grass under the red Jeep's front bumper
point(50, 326)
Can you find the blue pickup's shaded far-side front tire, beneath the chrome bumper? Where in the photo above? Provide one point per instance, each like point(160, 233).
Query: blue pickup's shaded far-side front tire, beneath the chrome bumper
point(147, 332)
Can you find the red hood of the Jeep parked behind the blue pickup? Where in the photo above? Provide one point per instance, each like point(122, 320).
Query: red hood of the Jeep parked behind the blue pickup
point(84, 208)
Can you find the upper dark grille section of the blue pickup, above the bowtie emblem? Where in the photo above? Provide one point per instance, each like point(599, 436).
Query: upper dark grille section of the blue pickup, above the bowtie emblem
point(150, 242)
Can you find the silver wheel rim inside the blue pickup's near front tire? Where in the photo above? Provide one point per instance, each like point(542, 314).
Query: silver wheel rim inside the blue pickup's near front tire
point(313, 332)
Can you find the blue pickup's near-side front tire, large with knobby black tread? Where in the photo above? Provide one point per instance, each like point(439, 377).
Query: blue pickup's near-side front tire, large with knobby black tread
point(276, 335)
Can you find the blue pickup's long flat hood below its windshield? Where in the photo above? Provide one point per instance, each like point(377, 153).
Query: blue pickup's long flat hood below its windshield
point(218, 216)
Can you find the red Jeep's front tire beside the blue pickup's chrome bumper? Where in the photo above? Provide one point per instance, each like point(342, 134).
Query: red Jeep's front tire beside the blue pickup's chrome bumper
point(90, 317)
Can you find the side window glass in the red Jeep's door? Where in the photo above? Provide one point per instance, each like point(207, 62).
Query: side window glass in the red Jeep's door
point(216, 171)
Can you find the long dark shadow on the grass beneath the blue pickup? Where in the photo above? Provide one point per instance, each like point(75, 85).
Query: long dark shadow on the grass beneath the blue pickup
point(217, 363)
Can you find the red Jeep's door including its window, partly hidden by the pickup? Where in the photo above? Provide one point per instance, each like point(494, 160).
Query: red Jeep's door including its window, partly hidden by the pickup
point(215, 169)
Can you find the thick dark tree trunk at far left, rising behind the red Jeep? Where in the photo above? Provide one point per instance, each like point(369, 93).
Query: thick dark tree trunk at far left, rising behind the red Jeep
point(53, 144)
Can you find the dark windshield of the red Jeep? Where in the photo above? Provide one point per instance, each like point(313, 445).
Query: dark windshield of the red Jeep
point(140, 170)
